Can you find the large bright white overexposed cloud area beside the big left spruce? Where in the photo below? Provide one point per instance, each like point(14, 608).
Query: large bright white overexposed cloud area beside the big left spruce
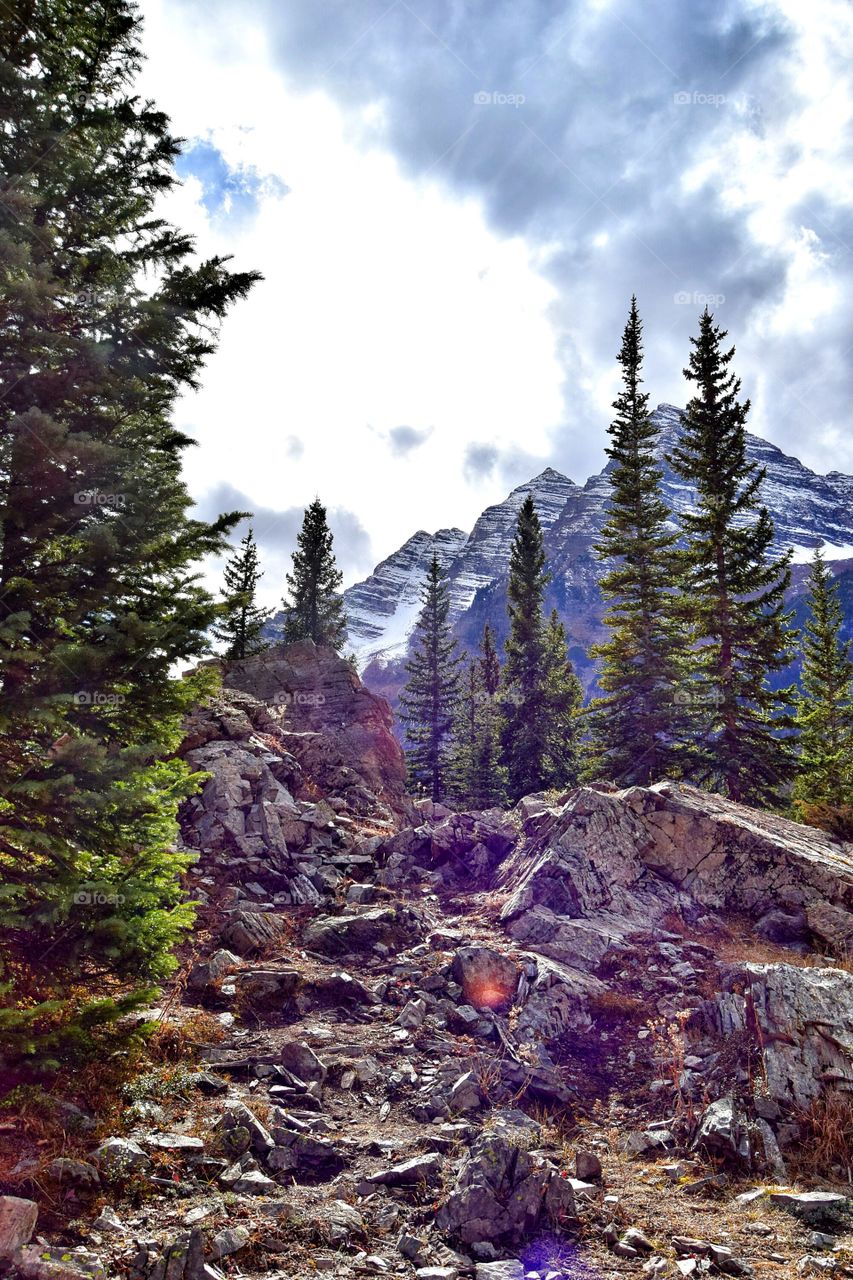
point(385, 303)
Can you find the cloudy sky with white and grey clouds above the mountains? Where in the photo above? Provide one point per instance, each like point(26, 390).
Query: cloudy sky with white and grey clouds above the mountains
point(453, 202)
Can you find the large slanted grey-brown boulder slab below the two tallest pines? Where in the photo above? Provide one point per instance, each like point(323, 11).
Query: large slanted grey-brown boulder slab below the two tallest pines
point(609, 865)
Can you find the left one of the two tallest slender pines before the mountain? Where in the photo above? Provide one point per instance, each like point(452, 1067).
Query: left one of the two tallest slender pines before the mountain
point(636, 725)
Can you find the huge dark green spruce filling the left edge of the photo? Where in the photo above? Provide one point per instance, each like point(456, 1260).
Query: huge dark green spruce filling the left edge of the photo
point(104, 322)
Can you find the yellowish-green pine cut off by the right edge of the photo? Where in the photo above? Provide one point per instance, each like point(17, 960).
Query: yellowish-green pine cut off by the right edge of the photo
point(824, 787)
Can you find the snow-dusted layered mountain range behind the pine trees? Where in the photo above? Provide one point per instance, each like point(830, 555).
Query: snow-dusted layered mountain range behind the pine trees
point(808, 509)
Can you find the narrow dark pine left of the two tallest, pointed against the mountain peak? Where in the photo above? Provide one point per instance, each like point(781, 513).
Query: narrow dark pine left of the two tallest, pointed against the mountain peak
point(524, 702)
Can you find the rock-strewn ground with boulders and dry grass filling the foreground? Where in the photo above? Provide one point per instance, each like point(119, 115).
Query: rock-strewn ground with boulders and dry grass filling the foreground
point(604, 1035)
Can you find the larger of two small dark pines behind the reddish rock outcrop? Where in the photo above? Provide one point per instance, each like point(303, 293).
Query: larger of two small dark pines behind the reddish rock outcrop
point(316, 607)
